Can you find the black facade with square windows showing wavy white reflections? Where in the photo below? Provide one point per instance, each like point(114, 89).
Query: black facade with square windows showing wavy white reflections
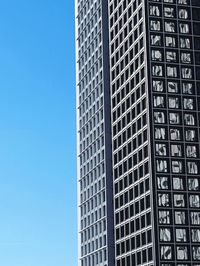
point(173, 43)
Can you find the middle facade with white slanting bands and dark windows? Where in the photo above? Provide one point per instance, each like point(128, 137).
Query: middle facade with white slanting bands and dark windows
point(132, 198)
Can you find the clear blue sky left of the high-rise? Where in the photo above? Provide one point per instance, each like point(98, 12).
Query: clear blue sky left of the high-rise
point(37, 133)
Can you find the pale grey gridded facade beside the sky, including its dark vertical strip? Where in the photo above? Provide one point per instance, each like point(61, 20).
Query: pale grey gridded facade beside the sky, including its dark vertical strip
point(93, 135)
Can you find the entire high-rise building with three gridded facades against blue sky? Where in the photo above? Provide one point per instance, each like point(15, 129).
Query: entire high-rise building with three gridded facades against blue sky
point(138, 81)
